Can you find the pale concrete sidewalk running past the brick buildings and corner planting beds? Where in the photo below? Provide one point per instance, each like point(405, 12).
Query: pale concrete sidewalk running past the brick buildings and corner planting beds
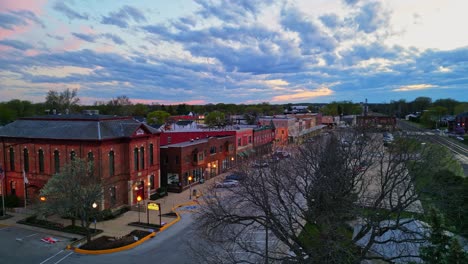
point(119, 226)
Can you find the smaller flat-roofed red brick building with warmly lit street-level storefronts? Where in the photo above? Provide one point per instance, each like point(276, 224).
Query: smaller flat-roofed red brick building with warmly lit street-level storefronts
point(199, 158)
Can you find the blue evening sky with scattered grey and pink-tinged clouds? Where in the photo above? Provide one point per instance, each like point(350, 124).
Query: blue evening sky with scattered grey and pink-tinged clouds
point(234, 51)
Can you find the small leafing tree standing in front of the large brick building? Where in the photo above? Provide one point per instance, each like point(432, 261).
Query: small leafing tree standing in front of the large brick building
point(72, 192)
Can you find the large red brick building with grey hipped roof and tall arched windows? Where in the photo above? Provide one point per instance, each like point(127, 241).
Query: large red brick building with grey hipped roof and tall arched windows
point(125, 154)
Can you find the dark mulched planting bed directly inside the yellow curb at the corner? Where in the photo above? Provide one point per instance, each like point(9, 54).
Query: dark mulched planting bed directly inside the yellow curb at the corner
point(106, 242)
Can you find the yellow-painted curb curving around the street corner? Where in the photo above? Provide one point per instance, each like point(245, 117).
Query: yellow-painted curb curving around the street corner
point(130, 245)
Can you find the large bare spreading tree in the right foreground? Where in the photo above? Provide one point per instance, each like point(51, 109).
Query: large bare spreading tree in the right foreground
point(330, 203)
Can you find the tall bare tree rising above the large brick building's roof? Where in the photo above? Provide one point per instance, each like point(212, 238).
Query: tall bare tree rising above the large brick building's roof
point(64, 101)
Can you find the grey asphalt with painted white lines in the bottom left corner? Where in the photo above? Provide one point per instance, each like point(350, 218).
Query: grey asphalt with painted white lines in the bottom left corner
point(18, 245)
